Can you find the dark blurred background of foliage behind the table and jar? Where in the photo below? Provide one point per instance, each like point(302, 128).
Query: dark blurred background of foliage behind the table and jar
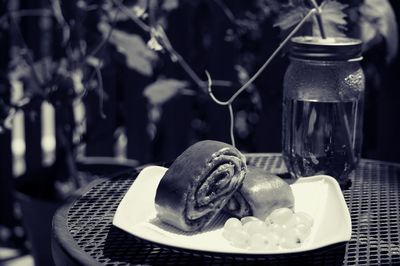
point(138, 69)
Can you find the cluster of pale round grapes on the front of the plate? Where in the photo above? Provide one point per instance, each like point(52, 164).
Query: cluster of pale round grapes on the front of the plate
point(283, 228)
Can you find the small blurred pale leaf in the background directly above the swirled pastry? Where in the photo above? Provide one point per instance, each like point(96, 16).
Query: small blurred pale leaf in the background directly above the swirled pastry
point(163, 90)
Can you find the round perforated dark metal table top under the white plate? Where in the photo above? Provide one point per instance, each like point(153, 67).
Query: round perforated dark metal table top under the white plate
point(83, 232)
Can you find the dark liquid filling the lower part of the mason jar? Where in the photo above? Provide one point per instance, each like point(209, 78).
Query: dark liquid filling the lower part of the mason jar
point(319, 137)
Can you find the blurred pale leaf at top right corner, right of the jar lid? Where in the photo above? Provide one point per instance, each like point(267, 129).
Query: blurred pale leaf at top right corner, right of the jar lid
point(378, 20)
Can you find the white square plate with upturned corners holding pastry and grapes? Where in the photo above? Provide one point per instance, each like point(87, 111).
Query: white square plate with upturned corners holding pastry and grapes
point(319, 196)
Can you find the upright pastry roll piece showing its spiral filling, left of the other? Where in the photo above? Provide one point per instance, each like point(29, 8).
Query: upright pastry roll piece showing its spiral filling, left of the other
point(198, 184)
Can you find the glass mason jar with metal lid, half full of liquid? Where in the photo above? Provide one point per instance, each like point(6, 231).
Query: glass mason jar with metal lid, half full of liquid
point(323, 107)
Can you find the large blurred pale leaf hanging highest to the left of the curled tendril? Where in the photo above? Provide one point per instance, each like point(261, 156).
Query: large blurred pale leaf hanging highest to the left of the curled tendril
point(138, 55)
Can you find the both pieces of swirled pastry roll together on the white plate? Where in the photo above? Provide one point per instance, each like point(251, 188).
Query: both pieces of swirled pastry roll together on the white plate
point(211, 176)
